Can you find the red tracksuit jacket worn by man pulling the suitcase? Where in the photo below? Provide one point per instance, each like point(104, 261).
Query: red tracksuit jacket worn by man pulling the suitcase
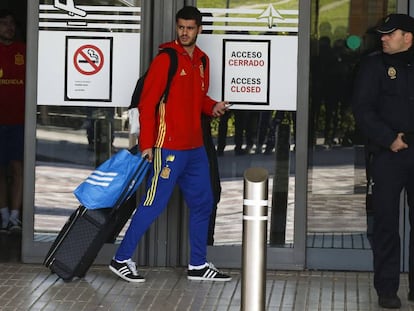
point(176, 124)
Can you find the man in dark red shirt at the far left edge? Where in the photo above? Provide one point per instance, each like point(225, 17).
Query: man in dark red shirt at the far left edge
point(12, 99)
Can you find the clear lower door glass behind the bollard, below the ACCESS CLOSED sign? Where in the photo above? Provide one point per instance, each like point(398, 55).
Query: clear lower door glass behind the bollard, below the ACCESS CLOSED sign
point(270, 144)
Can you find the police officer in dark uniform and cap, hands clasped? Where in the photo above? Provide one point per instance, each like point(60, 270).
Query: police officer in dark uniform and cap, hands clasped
point(383, 105)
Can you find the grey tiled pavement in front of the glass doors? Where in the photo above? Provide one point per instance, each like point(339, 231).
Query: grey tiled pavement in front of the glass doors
point(33, 287)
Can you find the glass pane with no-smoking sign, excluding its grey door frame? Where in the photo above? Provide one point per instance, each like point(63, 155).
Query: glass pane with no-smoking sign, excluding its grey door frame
point(74, 136)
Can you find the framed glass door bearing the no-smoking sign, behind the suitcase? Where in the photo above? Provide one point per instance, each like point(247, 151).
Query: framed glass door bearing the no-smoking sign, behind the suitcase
point(76, 105)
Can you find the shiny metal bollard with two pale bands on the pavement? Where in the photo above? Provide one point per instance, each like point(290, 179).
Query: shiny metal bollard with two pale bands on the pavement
point(255, 205)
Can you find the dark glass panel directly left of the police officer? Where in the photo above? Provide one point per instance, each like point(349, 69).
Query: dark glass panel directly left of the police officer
point(339, 220)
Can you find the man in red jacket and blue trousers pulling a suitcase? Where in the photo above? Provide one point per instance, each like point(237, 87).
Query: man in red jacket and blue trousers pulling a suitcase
point(171, 135)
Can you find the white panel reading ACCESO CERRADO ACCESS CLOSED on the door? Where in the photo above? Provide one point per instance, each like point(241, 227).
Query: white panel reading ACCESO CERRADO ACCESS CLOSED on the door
point(280, 80)
